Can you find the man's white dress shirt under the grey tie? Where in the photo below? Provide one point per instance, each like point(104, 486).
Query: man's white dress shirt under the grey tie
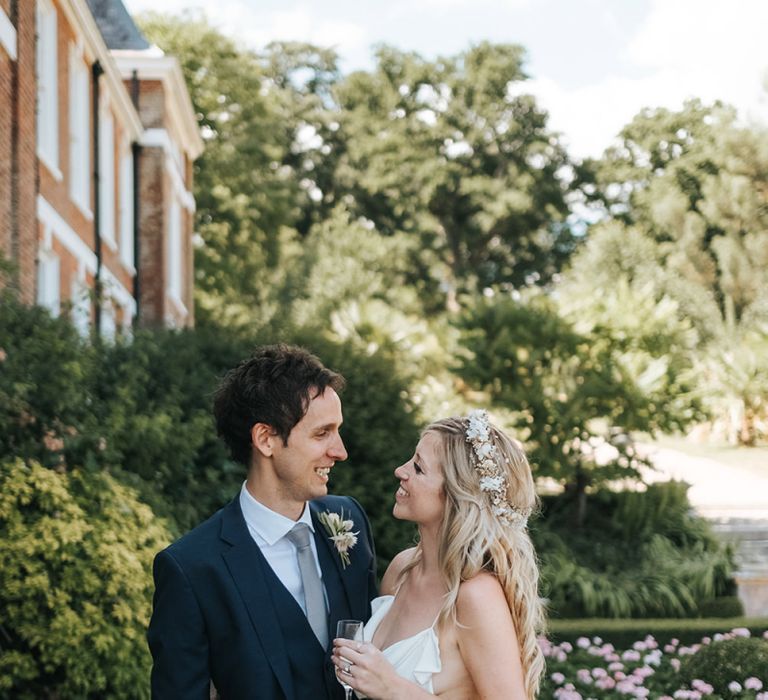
point(269, 530)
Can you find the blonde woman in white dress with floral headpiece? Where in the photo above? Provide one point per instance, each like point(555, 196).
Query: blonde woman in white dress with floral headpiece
point(459, 613)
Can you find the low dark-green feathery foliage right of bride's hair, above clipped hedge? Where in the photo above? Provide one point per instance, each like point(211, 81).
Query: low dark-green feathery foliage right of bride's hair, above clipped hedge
point(640, 554)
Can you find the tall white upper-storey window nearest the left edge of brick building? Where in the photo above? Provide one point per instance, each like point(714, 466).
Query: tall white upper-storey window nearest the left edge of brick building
point(48, 87)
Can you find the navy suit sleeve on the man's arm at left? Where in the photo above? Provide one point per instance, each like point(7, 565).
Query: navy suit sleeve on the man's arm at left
point(176, 636)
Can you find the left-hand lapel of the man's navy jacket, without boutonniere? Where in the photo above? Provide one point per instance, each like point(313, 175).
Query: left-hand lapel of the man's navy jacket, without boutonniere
point(246, 565)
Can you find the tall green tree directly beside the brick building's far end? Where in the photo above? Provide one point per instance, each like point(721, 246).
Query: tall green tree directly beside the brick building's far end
point(247, 194)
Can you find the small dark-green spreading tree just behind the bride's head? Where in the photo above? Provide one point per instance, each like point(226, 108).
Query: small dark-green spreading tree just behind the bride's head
point(569, 395)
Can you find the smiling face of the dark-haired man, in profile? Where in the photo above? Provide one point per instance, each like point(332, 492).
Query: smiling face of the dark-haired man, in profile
point(301, 467)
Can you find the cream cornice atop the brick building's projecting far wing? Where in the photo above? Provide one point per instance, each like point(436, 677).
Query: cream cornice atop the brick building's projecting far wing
point(152, 64)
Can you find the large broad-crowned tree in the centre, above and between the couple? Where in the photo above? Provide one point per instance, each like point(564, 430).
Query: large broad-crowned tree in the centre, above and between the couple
point(453, 152)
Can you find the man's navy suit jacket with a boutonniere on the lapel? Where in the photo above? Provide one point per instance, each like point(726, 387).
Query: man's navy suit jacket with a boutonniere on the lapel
point(221, 614)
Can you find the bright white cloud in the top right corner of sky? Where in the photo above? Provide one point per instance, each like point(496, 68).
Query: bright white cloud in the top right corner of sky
point(686, 48)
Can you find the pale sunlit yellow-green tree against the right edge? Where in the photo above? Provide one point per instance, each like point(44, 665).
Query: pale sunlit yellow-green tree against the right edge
point(690, 188)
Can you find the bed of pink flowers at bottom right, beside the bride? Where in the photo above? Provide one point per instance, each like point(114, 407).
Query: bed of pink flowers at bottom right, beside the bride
point(592, 668)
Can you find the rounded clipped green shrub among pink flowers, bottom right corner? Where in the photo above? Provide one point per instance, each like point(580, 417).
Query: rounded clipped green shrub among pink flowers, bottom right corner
point(726, 661)
